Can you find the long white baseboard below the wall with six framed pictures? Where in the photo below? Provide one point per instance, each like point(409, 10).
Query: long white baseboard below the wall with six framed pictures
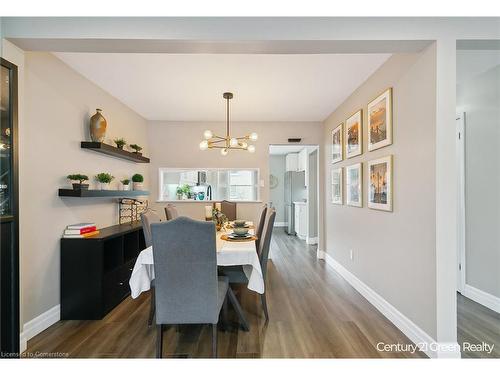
point(418, 336)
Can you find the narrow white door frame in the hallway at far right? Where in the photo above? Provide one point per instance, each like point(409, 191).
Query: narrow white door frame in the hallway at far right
point(461, 263)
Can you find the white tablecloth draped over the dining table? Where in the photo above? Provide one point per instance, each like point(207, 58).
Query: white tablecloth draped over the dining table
point(228, 254)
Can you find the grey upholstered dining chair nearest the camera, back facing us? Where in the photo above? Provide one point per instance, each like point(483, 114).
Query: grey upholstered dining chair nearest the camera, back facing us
point(188, 290)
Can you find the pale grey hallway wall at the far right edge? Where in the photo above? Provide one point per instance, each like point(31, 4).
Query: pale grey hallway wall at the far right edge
point(479, 98)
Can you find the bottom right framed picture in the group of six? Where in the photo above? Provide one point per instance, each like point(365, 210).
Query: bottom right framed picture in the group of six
point(380, 189)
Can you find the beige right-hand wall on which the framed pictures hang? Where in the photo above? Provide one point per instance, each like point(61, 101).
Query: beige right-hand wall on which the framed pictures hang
point(402, 243)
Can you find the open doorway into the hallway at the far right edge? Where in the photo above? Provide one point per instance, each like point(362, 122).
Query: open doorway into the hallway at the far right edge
point(478, 171)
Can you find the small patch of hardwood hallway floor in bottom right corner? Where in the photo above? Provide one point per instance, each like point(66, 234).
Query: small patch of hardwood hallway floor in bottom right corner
point(477, 324)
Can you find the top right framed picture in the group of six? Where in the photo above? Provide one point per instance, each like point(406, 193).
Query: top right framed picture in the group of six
point(380, 121)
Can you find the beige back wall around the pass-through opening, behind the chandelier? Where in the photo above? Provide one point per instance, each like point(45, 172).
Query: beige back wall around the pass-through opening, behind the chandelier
point(175, 145)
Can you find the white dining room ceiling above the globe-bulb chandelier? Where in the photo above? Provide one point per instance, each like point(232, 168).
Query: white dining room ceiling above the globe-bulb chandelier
point(189, 87)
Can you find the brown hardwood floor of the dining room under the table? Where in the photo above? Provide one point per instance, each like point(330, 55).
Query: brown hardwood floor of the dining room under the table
point(314, 313)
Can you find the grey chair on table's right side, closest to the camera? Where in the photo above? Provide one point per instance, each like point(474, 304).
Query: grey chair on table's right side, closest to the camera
point(236, 275)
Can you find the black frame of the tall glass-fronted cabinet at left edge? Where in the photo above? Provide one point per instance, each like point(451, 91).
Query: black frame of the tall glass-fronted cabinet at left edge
point(11, 321)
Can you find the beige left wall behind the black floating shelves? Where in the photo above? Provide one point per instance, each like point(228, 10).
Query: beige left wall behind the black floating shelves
point(55, 106)
